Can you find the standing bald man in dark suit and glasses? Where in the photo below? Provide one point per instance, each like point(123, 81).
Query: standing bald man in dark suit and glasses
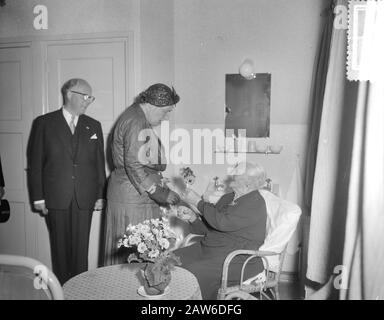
point(67, 176)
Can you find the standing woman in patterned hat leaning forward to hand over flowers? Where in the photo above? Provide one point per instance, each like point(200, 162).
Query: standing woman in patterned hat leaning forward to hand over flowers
point(135, 189)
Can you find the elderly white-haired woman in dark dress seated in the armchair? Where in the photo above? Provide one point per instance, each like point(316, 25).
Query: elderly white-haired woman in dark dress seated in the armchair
point(236, 221)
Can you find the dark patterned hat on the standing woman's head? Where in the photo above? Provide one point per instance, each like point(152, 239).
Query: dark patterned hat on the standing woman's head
point(159, 95)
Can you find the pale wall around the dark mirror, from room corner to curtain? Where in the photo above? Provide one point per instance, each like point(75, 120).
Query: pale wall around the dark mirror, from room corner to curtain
point(212, 38)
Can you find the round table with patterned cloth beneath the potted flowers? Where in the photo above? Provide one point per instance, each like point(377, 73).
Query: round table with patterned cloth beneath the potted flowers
point(121, 282)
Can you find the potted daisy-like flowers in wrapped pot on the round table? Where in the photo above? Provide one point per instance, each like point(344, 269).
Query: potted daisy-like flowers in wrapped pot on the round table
point(151, 241)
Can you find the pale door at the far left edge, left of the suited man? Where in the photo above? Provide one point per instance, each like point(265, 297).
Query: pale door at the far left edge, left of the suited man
point(15, 123)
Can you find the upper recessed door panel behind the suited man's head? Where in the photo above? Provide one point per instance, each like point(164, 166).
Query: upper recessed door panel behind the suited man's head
point(102, 64)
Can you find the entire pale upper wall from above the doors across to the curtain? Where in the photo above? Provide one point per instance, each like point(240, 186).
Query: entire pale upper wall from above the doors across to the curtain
point(193, 44)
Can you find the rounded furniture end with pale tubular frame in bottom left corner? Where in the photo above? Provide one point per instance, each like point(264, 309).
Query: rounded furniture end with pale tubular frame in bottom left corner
point(23, 278)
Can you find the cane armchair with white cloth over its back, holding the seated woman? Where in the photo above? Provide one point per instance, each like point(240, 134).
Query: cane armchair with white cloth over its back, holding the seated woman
point(282, 220)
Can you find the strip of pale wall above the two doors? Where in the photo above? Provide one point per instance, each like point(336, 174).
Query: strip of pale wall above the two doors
point(69, 17)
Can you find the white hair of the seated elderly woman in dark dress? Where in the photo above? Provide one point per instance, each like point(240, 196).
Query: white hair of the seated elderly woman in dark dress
point(253, 174)
